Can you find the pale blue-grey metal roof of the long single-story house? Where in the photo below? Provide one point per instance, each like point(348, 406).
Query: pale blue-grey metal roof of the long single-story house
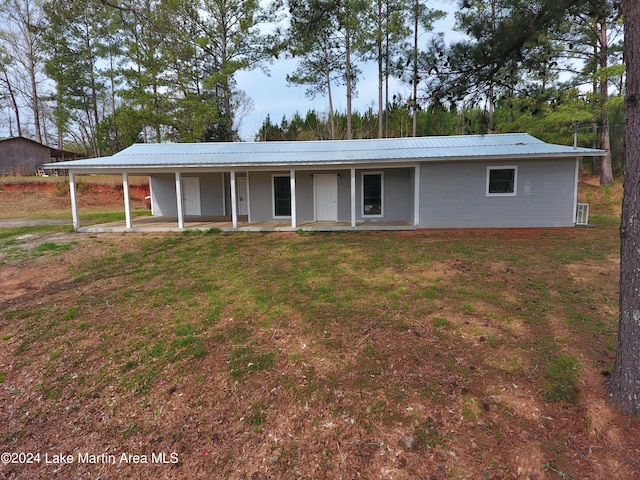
point(330, 152)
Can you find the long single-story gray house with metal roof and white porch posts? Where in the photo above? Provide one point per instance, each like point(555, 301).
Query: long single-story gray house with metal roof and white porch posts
point(473, 181)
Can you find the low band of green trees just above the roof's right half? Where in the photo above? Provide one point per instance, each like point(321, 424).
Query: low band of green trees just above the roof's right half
point(553, 122)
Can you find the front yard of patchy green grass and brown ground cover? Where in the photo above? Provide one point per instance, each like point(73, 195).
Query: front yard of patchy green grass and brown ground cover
point(386, 355)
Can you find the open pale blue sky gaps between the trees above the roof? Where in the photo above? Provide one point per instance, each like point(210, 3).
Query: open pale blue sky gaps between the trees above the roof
point(271, 94)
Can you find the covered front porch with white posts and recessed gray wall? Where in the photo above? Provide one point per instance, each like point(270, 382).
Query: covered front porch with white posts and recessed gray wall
point(316, 199)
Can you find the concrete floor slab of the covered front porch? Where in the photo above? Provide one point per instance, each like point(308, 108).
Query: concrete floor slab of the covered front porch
point(225, 224)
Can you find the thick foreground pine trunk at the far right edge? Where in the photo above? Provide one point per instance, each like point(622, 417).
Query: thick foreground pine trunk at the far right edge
point(624, 389)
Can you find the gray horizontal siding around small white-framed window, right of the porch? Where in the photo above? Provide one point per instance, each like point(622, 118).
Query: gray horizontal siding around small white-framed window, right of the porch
point(453, 195)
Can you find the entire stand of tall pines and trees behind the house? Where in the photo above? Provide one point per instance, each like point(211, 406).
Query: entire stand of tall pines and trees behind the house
point(102, 74)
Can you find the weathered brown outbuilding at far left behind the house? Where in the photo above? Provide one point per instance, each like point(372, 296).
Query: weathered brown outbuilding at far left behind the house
point(22, 156)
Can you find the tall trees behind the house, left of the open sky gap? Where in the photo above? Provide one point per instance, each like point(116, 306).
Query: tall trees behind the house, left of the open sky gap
point(102, 74)
